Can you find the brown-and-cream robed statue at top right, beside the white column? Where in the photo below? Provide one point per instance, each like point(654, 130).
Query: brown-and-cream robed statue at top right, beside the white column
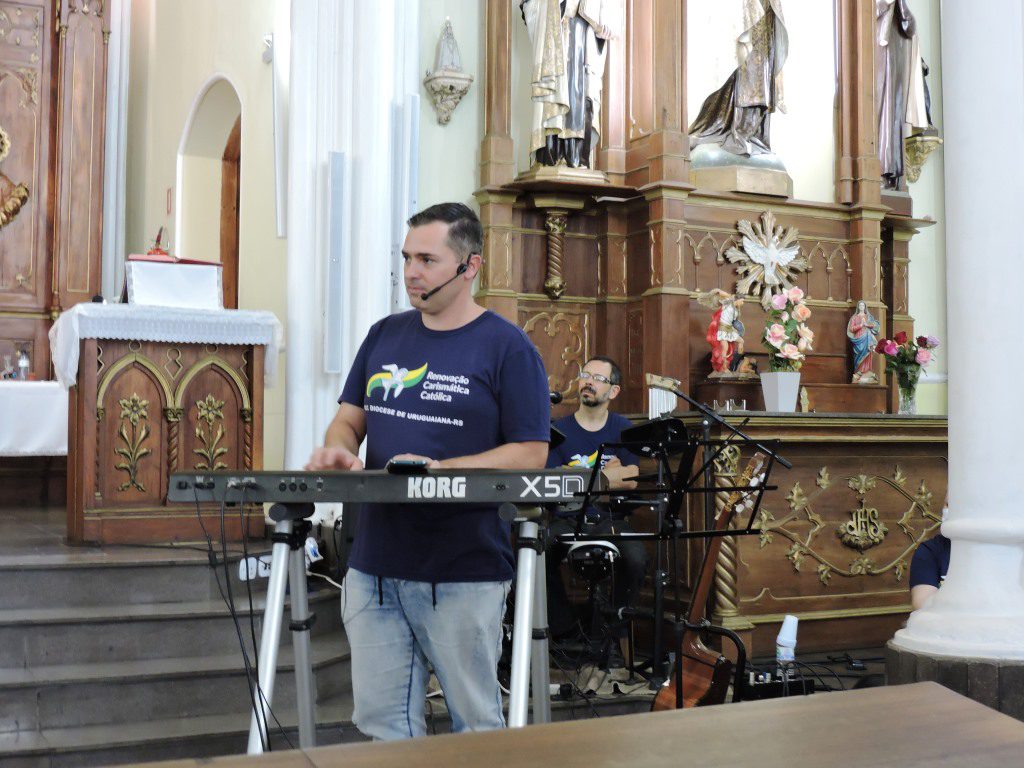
point(901, 97)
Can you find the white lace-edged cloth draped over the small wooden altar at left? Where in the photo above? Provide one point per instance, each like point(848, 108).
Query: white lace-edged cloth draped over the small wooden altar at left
point(233, 327)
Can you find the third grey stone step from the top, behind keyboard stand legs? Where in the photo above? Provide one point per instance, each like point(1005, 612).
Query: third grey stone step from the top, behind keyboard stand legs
point(70, 696)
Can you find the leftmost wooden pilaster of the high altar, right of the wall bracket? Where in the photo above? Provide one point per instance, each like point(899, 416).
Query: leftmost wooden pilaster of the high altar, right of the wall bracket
point(497, 159)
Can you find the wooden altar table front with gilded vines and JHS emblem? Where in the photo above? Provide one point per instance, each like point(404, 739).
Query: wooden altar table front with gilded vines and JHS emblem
point(836, 539)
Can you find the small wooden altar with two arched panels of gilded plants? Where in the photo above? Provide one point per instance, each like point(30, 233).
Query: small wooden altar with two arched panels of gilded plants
point(143, 410)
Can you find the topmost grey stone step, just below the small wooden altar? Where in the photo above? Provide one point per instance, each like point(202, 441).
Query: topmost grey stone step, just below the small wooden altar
point(115, 578)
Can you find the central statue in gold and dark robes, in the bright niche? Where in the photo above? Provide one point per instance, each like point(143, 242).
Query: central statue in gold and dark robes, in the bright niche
point(737, 116)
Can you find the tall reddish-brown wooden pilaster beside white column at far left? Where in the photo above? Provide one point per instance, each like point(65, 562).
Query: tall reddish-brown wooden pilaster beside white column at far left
point(82, 37)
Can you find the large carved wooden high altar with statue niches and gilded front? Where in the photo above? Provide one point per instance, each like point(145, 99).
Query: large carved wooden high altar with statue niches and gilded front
point(616, 267)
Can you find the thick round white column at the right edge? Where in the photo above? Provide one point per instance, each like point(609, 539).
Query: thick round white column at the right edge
point(979, 611)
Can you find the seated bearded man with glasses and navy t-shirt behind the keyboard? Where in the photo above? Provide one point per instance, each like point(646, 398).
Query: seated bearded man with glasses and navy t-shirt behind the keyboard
point(586, 431)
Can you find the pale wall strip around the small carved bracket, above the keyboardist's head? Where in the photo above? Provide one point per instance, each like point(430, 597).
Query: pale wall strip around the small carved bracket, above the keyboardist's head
point(450, 155)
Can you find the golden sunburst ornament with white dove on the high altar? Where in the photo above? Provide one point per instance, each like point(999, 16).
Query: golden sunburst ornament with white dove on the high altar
point(770, 261)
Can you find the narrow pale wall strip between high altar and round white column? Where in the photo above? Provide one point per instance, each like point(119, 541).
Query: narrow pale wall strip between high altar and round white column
point(928, 250)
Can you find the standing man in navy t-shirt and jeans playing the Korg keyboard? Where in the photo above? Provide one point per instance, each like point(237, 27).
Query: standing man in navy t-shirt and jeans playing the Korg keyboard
point(459, 388)
